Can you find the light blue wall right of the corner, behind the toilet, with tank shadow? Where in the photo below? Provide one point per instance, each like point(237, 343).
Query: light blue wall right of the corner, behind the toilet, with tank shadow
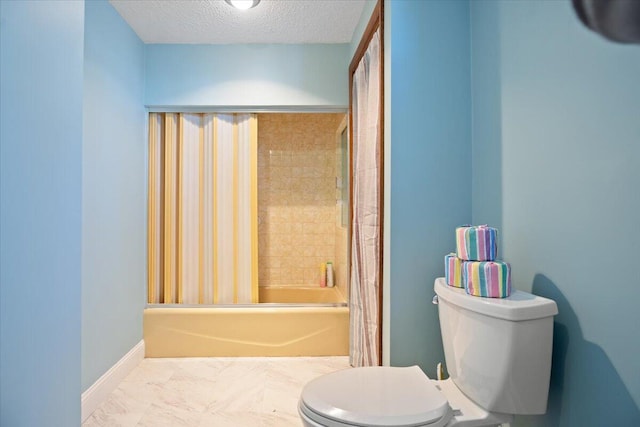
point(556, 140)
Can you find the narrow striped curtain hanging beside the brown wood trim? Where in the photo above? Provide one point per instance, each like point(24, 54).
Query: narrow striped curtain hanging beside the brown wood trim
point(366, 227)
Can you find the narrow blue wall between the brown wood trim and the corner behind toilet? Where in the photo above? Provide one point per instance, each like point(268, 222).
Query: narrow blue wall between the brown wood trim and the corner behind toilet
point(430, 164)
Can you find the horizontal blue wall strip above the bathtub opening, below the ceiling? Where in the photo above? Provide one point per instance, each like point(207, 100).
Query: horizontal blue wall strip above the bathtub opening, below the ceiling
point(247, 75)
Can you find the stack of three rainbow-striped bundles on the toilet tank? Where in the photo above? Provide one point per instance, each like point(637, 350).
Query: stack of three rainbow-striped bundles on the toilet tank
point(474, 266)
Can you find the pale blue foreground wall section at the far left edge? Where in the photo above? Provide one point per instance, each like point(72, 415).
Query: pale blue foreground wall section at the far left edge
point(40, 212)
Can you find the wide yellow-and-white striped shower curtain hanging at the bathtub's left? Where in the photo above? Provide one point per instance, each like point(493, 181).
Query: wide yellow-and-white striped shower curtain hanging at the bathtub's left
point(202, 213)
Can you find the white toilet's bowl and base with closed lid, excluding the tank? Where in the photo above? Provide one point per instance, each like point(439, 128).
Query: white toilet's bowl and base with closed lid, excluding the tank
point(388, 396)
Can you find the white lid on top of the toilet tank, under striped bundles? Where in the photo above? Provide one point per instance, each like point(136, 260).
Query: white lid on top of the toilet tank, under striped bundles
point(516, 307)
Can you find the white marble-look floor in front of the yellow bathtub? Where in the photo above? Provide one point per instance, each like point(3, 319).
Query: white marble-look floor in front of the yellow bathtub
point(220, 392)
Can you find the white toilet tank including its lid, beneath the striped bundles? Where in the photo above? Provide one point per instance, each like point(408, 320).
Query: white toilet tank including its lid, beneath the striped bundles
point(498, 350)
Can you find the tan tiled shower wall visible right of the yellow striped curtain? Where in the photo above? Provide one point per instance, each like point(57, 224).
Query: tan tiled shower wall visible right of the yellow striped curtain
point(297, 210)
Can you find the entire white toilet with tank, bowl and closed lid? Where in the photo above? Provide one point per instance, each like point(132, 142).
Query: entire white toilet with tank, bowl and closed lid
point(497, 352)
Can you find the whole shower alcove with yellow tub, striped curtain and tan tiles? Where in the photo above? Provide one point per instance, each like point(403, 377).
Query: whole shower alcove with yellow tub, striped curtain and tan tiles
point(299, 221)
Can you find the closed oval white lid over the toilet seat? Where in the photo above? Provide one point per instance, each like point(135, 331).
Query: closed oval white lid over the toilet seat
point(377, 396)
